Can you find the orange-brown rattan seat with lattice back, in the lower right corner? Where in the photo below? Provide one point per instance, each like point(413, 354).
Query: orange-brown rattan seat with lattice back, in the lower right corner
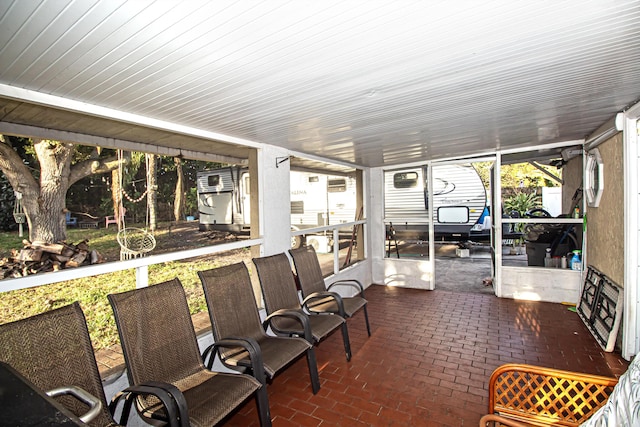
point(523, 395)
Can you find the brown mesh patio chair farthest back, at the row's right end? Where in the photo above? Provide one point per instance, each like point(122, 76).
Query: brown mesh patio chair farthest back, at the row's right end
point(319, 299)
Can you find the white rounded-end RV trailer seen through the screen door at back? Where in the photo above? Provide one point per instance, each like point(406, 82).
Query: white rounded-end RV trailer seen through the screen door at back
point(459, 202)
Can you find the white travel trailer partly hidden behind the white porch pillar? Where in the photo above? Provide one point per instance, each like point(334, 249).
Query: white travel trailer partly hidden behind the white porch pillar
point(316, 200)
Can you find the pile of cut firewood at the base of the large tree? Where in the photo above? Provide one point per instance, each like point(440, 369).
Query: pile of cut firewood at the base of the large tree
point(37, 257)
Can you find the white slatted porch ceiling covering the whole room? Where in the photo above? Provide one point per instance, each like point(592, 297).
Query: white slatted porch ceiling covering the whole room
point(370, 83)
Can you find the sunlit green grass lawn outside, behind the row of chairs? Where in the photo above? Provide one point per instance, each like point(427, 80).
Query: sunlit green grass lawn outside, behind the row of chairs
point(92, 291)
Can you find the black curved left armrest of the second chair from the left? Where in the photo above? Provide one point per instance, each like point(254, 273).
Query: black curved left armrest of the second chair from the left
point(171, 397)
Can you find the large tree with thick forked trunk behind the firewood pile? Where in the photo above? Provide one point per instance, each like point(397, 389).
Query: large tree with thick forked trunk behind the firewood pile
point(43, 194)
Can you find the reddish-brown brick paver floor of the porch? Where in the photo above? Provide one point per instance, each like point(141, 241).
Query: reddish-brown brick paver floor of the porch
point(428, 360)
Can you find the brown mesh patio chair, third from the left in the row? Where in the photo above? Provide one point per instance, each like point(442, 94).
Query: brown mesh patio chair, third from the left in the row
point(234, 313)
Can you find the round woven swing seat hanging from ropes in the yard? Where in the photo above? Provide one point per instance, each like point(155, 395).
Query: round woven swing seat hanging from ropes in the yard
point(134, 242)
